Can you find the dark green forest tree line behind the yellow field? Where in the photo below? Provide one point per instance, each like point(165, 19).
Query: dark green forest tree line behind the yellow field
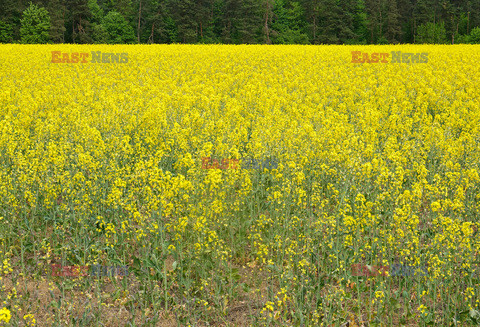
point(240, 21)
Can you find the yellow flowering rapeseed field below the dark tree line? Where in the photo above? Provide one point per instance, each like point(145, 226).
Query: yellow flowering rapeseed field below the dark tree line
point(102, 163)
